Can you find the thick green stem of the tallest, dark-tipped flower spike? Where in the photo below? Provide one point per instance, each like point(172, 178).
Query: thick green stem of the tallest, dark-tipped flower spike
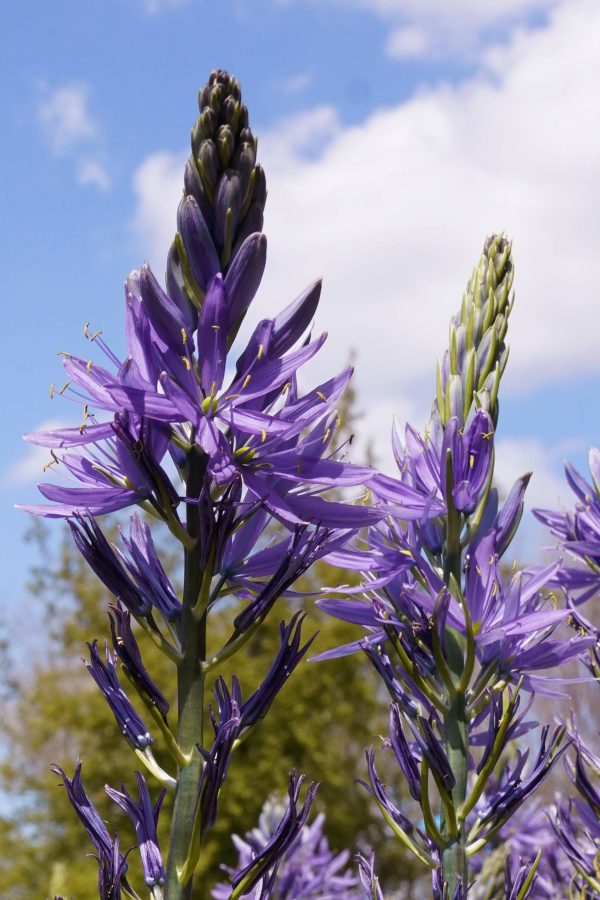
point(190, 694)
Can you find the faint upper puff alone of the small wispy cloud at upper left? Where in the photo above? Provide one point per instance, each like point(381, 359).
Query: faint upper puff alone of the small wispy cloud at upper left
point(65, 117)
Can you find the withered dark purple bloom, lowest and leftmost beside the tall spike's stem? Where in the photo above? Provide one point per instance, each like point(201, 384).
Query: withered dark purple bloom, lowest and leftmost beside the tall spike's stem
point(111, 863)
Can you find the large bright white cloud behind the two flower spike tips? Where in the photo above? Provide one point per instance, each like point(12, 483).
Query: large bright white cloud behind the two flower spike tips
point(393, 212)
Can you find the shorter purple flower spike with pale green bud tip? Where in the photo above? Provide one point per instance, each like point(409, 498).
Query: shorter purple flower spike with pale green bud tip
point(455, 639)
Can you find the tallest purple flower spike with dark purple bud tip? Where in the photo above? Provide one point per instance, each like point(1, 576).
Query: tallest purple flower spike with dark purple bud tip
point(212, 436)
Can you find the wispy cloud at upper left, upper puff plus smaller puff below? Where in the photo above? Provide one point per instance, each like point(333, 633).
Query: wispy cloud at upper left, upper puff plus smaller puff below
point(72, 131)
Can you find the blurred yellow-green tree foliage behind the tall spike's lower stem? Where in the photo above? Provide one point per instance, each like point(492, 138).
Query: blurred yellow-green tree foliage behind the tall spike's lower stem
point(321, 723)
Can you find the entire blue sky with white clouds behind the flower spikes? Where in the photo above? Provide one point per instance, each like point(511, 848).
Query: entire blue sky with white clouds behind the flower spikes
point(396, 134)
